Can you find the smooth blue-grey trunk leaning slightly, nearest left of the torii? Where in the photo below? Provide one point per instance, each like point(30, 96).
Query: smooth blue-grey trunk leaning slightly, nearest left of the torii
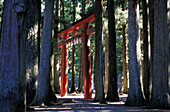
point(43, 88)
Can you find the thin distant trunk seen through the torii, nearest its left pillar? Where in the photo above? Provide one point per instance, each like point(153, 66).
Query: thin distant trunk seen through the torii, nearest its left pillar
point(73, 88)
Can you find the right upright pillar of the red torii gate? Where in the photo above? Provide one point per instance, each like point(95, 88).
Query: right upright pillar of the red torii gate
point(86, 64)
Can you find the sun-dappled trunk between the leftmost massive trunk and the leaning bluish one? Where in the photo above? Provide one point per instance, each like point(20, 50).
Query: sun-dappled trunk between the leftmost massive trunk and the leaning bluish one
point(32, 48)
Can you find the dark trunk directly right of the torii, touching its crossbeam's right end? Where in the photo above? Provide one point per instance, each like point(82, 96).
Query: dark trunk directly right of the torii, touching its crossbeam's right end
point(99, 94)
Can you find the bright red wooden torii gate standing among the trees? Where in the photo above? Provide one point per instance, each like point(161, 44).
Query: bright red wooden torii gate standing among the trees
point(85, 33)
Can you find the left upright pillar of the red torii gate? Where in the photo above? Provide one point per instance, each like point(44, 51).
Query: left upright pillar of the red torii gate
point(64, 73)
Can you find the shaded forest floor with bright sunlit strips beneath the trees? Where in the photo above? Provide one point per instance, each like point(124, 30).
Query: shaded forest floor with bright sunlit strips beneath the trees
point(76, 103)
